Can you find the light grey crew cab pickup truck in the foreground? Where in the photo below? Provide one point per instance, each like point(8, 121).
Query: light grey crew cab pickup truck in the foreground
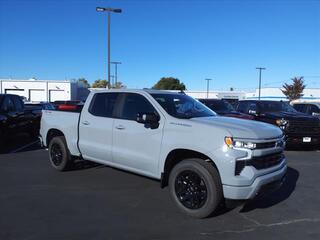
point(204, 158)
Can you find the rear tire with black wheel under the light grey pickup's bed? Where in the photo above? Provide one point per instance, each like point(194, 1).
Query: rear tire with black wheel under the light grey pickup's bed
point(59, 154)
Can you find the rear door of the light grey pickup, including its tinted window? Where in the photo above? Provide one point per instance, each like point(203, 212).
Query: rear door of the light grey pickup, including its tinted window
point(96, 127)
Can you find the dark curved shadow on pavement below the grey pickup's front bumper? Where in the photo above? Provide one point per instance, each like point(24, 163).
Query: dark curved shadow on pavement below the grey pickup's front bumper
point(281, 194)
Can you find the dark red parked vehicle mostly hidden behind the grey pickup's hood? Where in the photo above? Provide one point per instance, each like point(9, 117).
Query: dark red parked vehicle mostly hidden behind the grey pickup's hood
point(224, 108)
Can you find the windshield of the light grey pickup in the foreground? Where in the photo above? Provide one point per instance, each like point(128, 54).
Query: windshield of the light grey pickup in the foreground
point(182, 106)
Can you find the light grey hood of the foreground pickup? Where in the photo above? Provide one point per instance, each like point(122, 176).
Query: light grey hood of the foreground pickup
point(240, 128)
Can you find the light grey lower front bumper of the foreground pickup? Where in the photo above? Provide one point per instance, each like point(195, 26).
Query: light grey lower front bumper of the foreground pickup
point(258, 185)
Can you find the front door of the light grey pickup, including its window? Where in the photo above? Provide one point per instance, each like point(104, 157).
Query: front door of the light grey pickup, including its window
point(136, 146)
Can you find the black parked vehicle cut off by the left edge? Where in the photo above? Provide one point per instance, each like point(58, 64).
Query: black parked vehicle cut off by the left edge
point(14, 118)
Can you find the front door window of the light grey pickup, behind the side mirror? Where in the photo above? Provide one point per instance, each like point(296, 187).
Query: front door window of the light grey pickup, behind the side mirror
point(134, 104)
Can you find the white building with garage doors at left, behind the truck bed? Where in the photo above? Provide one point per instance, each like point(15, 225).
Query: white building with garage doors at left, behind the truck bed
point(34, 90)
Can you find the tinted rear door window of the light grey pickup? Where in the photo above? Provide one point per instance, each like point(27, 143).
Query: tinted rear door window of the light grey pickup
point(102, 104)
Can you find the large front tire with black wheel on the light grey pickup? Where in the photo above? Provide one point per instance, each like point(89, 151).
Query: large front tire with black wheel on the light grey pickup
point(195, 187)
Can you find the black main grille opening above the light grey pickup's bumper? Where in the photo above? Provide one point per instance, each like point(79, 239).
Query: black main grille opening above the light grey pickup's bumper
point(259, 163)
